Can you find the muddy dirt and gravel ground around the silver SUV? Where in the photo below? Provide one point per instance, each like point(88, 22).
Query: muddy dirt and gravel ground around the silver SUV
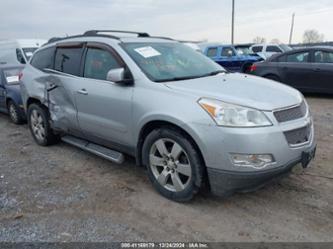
point(61, 193)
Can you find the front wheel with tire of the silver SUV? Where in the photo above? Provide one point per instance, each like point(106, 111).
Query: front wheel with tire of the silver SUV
point(174, 165)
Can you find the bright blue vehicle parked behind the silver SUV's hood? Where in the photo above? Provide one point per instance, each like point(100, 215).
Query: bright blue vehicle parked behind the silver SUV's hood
point(229, 58)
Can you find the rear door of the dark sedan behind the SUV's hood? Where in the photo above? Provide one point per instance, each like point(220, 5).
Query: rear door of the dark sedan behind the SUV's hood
point(296, 69)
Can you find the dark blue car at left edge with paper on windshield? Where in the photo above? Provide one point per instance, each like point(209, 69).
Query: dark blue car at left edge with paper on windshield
point(10, 96)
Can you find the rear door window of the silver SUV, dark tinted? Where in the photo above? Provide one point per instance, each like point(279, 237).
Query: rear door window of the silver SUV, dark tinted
point(67, 60)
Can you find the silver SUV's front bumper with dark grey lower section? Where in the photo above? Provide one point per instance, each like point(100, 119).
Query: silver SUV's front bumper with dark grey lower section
point(217, 144)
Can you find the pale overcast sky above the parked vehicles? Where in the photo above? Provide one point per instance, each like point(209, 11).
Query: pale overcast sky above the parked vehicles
point(180, 19)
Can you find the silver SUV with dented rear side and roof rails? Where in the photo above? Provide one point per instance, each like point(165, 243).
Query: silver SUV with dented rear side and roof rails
point(185, 118)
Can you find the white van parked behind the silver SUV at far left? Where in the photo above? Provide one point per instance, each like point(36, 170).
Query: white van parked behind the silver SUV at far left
point(18, 51)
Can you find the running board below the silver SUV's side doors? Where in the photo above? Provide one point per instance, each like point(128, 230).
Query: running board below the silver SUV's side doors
point(98, 150)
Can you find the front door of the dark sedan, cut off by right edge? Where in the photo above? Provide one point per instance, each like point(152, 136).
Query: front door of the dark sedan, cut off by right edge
point(322, 77)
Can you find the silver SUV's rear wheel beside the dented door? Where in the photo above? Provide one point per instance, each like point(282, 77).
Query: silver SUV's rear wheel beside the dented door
point(39, 125)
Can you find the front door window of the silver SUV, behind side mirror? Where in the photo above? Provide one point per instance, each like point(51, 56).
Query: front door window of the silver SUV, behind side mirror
point(98, 63)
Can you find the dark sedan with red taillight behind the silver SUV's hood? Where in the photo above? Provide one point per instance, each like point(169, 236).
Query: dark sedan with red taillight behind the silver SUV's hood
point(307, 69)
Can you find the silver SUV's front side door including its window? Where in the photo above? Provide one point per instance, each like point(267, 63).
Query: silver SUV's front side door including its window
point(104, 107)
